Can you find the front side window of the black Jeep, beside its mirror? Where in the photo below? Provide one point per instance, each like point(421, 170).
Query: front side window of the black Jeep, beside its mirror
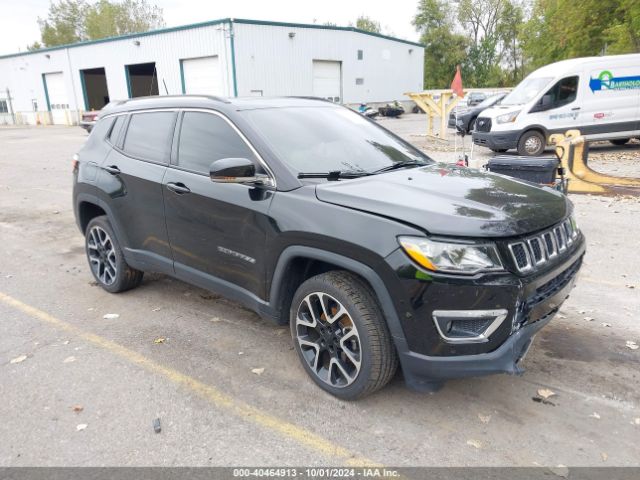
point(204, 138)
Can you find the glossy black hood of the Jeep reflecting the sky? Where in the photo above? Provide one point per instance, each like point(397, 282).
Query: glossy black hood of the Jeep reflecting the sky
point(448, 200)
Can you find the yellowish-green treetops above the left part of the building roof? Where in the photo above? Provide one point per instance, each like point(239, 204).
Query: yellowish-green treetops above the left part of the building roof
point(70, 21)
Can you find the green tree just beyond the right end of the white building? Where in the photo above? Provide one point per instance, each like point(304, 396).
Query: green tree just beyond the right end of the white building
point(443, 48)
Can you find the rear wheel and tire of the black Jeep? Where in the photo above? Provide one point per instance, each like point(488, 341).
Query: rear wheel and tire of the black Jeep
point(106, 260)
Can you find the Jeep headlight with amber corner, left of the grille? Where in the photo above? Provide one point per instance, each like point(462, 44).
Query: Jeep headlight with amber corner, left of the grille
point(450, 257)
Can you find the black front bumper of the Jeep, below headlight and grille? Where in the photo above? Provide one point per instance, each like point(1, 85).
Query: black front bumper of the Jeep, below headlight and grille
point(427, 359)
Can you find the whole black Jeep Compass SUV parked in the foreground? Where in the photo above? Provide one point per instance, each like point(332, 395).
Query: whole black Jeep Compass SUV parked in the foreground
point(312, 215)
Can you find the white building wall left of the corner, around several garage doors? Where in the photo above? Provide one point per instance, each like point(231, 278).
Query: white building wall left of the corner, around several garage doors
point(23, 74)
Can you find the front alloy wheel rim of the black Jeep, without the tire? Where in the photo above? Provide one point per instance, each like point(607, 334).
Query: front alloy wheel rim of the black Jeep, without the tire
point(328, 339)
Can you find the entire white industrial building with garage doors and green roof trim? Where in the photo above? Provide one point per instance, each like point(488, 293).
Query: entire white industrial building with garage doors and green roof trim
point(229, 57)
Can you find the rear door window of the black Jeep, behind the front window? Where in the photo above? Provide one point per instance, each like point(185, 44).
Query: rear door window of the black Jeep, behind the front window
point(149, 136)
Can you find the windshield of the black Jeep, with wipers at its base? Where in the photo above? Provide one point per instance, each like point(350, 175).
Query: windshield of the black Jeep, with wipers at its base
point(325, 139)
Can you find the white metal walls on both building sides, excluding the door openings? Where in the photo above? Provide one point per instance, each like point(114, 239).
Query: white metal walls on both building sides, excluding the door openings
point(270, 60)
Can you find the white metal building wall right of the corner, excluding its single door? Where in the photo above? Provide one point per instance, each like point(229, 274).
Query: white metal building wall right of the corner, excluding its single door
point(269, 60)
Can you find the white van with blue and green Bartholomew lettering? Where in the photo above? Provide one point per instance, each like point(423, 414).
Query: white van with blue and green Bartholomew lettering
point(600, 96)
